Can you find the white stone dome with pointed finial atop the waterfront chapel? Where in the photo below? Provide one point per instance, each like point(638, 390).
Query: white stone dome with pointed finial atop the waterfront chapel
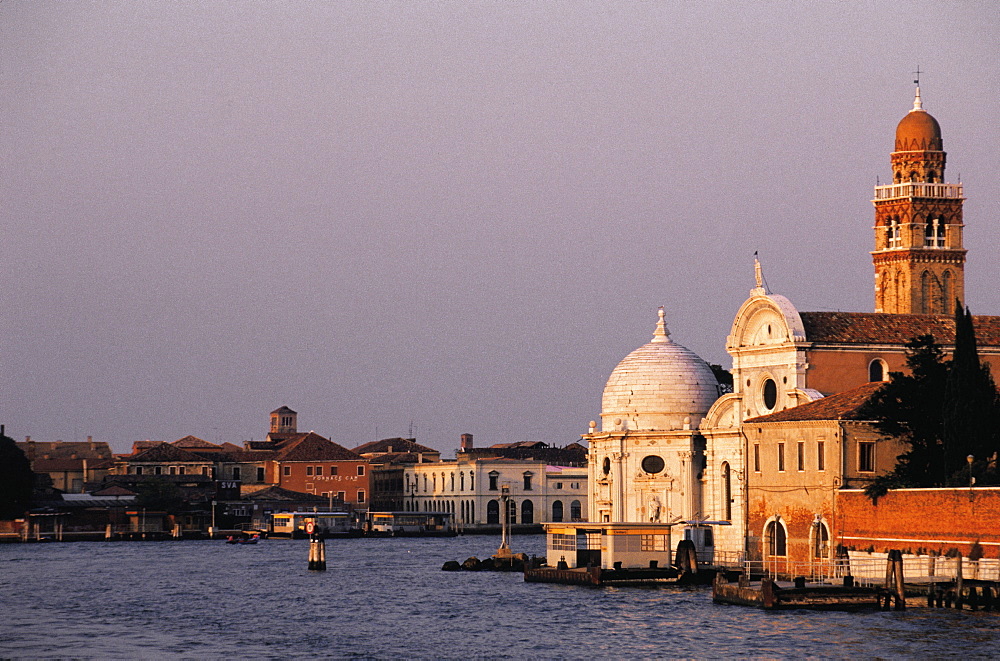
point(661, 386)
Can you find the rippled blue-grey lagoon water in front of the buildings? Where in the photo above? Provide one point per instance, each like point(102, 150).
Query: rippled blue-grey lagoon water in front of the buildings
point(388, 598)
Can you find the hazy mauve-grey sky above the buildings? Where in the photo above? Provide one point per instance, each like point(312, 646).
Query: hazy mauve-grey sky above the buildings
point(434, 218)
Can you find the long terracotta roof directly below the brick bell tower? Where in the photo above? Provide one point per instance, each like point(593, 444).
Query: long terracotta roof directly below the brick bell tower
point(884, 328)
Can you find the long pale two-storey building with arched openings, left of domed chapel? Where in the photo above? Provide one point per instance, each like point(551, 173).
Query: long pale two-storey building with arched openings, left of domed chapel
point(469, 488)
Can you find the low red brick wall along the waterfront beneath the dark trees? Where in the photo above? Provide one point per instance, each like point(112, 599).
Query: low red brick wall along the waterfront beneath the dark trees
point(935, 520)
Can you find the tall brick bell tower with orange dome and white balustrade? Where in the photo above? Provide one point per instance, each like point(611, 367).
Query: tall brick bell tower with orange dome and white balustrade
point(919, 259)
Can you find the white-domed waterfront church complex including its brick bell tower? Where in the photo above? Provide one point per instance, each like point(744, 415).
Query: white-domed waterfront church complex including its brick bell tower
point(752, 473)
